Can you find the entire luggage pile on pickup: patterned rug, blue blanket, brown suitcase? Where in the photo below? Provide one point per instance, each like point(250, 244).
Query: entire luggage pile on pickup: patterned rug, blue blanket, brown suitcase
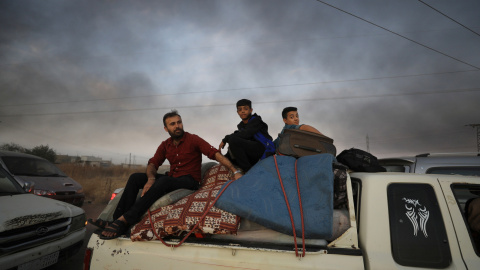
point(298, 188)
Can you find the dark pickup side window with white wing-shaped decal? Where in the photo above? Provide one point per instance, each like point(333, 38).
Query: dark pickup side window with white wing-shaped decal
point(417, 229)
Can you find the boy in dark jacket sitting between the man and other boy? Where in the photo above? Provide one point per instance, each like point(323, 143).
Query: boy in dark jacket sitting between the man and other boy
point(251, 142)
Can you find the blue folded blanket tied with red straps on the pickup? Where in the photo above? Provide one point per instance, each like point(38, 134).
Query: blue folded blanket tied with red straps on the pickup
point(258, 195)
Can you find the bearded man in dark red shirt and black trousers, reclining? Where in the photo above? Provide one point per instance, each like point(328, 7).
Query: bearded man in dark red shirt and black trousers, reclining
point(184, 153)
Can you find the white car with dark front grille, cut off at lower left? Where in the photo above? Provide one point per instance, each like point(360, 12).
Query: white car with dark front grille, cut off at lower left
point(36, 232)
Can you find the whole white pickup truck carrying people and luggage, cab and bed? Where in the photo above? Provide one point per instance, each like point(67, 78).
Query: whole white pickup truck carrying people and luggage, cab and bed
point(394, 221)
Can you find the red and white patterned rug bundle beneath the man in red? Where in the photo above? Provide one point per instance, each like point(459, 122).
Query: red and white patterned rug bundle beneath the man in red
point(184, 214)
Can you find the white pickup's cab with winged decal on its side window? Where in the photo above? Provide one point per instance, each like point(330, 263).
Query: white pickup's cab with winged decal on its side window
point(412, 220)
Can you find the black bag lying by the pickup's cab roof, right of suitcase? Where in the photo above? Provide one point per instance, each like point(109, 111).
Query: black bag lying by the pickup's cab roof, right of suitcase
point(360, 161)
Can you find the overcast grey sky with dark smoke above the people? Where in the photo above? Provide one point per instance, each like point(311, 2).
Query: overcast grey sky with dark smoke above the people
point(96, 77)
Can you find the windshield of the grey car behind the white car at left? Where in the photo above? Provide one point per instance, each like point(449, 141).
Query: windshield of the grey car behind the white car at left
point(31, 167)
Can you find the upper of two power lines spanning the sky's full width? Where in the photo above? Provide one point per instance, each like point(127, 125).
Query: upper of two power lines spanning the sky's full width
point(240, 89)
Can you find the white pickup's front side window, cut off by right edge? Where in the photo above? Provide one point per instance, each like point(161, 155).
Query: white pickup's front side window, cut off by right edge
point(468, 200)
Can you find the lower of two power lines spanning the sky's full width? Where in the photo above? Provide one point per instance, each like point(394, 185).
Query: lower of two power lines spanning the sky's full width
point(264, 102)
